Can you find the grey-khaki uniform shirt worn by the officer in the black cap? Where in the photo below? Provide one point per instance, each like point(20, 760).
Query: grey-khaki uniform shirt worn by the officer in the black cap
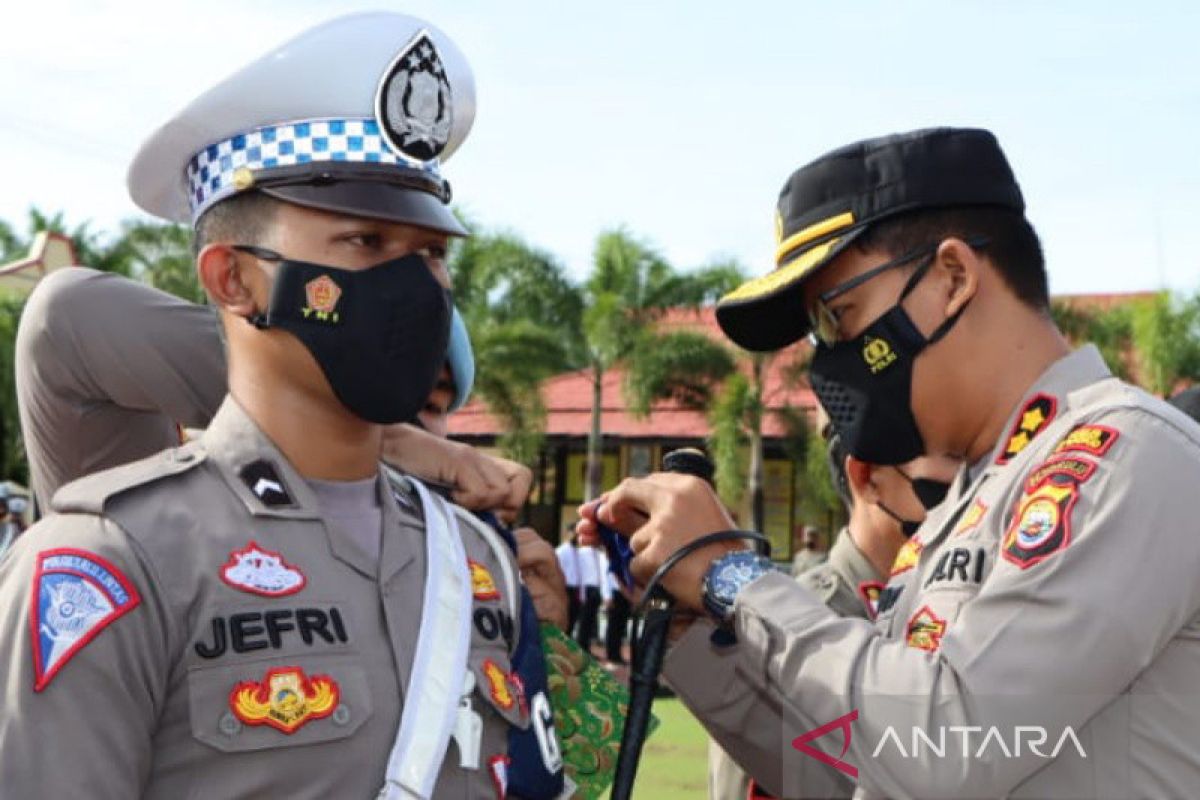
point(1042, 630)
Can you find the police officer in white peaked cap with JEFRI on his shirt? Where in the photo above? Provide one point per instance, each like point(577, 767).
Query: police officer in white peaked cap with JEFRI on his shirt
point(257, 613)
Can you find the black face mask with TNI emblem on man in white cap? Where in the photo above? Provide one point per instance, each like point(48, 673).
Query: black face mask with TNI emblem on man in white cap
point(380, 335)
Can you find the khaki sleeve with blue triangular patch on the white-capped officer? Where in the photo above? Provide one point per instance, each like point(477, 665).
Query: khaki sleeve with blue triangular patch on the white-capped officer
point(83, 663)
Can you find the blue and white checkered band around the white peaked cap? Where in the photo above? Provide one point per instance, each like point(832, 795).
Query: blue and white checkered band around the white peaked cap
point(211, 172)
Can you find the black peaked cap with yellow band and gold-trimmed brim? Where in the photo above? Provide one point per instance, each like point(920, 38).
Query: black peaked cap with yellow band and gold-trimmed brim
point(829, 203)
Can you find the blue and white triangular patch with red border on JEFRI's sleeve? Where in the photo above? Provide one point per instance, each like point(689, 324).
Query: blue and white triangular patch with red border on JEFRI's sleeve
point(76, 596)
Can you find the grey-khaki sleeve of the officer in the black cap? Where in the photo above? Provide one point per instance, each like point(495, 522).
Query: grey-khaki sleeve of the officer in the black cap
point(1045, 645)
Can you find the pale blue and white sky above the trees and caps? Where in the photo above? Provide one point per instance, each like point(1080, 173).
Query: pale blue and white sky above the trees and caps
point(680, 121)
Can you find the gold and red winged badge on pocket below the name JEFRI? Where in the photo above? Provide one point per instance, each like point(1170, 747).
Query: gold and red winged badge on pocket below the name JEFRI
point(286, 700)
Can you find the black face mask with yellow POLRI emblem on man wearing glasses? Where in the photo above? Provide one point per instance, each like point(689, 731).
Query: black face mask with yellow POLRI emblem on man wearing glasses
point(866, 384)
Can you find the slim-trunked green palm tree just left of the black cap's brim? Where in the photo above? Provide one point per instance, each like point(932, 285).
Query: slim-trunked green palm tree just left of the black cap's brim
point(629, 290)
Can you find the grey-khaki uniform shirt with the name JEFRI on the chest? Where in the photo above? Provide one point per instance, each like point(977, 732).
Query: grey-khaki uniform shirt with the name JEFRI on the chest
point(188, 627)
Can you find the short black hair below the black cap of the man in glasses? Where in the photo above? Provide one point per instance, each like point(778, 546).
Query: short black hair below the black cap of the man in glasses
point(1012, 244)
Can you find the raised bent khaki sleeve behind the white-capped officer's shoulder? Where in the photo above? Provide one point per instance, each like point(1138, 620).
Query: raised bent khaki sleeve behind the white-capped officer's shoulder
point(106, 369)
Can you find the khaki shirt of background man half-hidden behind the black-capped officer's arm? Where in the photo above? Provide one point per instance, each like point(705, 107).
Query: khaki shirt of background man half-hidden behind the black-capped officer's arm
point(848, 584)
